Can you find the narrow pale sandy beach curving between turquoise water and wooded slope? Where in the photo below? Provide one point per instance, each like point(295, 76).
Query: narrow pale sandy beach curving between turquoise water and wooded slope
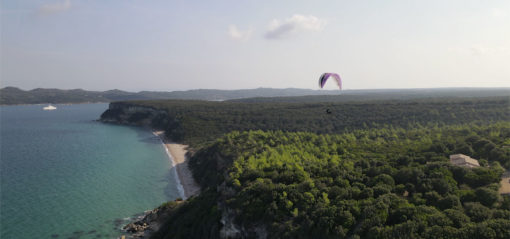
point(178, 153)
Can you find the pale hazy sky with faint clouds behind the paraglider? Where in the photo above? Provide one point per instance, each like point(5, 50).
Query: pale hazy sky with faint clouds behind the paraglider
point(232, 44)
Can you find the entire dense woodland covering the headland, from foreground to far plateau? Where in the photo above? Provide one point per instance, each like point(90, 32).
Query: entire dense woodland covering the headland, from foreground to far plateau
point(367, 170)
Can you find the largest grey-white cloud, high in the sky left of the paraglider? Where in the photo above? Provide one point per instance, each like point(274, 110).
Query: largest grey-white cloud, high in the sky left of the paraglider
point(297, 23)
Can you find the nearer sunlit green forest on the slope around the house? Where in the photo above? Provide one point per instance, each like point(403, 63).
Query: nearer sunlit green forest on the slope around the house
point(379, 183)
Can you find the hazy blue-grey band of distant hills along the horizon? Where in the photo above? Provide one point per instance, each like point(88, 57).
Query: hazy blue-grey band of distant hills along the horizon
point(13, 95)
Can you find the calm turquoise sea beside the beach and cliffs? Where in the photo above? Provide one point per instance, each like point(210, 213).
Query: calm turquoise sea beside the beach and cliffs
point(64, 175)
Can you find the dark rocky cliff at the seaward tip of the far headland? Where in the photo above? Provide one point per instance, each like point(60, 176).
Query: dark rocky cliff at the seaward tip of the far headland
point(132, 114)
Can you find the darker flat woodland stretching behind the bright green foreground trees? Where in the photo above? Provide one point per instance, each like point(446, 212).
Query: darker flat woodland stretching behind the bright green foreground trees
point(200, 122)
